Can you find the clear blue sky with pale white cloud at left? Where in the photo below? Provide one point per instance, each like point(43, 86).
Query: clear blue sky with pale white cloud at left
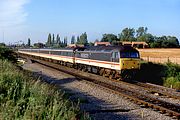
point(34, 19)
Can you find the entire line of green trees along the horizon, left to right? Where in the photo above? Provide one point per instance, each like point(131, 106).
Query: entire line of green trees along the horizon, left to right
point(127, 34)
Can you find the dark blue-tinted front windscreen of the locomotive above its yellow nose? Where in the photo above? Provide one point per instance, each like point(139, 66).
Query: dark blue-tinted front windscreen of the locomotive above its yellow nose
point(129, 55)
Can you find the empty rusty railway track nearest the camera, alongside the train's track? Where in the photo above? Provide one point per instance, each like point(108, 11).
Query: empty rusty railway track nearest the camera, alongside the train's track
point(141, 99)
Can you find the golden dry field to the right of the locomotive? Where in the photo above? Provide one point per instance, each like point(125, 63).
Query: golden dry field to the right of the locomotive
point(160, 55)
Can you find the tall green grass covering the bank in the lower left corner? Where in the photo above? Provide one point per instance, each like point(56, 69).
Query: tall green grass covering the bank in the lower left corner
point(21, 97)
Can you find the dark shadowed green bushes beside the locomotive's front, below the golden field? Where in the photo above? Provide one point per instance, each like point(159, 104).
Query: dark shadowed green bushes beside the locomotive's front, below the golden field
point(163, 74)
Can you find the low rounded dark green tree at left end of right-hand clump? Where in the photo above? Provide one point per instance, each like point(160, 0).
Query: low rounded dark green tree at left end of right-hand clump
point(109, 38)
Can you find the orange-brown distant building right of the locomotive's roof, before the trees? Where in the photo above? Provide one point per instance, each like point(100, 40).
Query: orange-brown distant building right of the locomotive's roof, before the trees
point(136, 44)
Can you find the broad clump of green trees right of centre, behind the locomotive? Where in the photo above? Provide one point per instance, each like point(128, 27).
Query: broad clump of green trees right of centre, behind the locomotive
point(141, 35)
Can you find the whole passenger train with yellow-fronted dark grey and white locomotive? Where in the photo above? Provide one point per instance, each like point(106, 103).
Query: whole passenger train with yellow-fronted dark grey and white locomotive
point(115, 62)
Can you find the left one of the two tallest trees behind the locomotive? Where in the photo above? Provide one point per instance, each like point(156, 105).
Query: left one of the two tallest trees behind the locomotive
point(127, 34)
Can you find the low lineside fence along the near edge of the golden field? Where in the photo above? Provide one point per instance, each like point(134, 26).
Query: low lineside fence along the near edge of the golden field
point(175, 60)
